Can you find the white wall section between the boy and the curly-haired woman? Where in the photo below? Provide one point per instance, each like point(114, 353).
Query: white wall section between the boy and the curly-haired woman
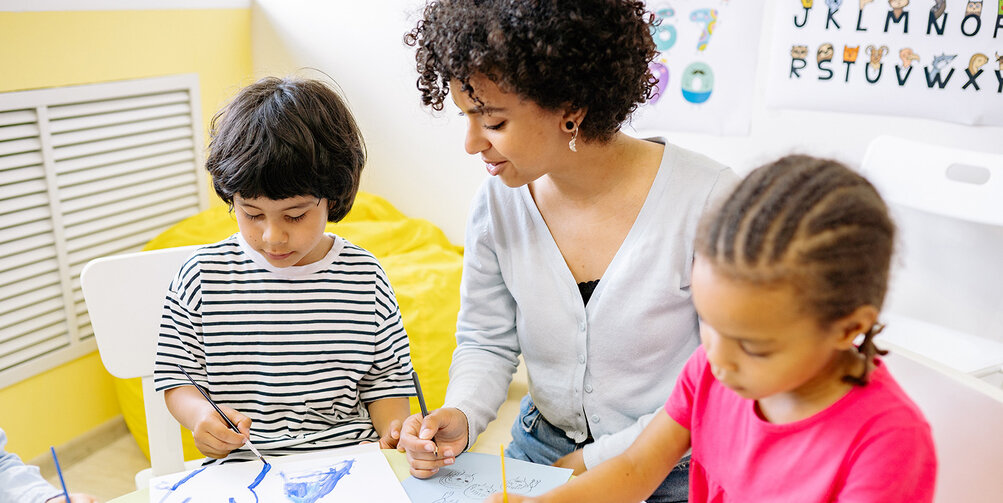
point(417, 159)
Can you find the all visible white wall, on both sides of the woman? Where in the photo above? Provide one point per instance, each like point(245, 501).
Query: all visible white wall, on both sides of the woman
point(417, 158)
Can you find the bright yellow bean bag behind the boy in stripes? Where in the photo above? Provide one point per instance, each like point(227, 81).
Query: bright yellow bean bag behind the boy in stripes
point(424, 269)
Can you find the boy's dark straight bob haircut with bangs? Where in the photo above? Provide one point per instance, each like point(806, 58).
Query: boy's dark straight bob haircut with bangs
point(284, 138)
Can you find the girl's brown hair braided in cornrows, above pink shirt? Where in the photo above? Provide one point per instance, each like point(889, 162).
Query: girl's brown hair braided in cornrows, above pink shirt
point(814, 224)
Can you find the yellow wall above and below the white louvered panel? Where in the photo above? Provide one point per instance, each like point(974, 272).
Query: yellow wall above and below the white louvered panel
point(48, 50)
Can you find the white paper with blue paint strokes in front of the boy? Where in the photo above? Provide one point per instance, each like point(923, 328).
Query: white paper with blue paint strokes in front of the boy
point(359, 473)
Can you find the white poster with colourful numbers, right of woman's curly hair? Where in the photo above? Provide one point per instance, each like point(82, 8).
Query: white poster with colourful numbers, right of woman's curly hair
point(706, 69)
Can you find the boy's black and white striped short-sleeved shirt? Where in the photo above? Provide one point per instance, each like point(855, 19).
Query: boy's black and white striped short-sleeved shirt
point(298, 350)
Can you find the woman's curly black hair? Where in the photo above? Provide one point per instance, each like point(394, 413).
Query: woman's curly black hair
point(591, 55)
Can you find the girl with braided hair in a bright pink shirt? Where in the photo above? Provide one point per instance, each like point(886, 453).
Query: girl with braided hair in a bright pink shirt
point(780, 404)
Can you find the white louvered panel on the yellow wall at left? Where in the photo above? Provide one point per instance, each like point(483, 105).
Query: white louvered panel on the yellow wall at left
point(86, 172)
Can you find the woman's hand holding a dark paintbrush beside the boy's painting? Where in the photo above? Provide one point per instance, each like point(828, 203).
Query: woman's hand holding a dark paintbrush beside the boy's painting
point(445, 430)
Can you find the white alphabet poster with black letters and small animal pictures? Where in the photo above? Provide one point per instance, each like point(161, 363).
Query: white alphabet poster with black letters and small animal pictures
point(929, 59)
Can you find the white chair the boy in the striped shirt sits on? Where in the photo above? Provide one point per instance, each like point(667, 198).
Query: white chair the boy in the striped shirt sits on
point(125, 297)
